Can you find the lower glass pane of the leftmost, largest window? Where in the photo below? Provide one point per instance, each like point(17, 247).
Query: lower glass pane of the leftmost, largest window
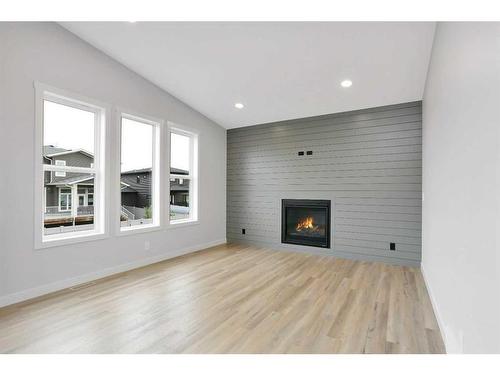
point(60, 216)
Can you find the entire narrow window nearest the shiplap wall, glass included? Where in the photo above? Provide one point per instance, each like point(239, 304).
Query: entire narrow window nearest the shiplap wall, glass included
point(183, 176)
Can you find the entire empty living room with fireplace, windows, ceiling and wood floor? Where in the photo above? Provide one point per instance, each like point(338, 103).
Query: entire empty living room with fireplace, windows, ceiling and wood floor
point(250, 187)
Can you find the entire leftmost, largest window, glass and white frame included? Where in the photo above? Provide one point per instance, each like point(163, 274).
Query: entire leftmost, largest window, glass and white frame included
point(70, 170)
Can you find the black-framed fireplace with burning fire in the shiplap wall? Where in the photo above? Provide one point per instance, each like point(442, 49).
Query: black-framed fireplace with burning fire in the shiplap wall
point(305, 222)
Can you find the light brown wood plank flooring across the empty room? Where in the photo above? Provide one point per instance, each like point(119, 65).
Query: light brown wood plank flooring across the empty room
point(233, 299)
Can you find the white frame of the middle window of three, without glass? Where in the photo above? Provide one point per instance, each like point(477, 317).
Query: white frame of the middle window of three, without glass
point(156, 175)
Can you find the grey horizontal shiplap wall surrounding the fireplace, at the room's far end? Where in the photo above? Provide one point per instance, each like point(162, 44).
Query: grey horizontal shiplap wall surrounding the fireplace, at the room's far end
point(369, 161)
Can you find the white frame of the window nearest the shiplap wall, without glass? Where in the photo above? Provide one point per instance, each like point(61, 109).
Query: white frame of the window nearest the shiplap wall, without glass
point(192, 176)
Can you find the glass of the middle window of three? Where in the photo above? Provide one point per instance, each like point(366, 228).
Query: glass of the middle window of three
point(136, 173)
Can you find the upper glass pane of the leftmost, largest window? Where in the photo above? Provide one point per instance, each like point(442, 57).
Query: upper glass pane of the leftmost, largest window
point(68, 136)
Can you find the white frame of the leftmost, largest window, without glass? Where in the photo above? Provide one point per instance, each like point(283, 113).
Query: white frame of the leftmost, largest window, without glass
point(45, 92)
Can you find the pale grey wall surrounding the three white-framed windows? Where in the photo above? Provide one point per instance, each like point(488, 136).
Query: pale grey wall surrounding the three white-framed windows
point(48, 53)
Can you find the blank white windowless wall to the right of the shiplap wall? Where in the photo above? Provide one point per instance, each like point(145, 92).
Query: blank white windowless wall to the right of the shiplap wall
point(461, 184)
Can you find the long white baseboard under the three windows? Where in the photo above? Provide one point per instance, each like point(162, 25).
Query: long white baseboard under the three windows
point(68, 283)
